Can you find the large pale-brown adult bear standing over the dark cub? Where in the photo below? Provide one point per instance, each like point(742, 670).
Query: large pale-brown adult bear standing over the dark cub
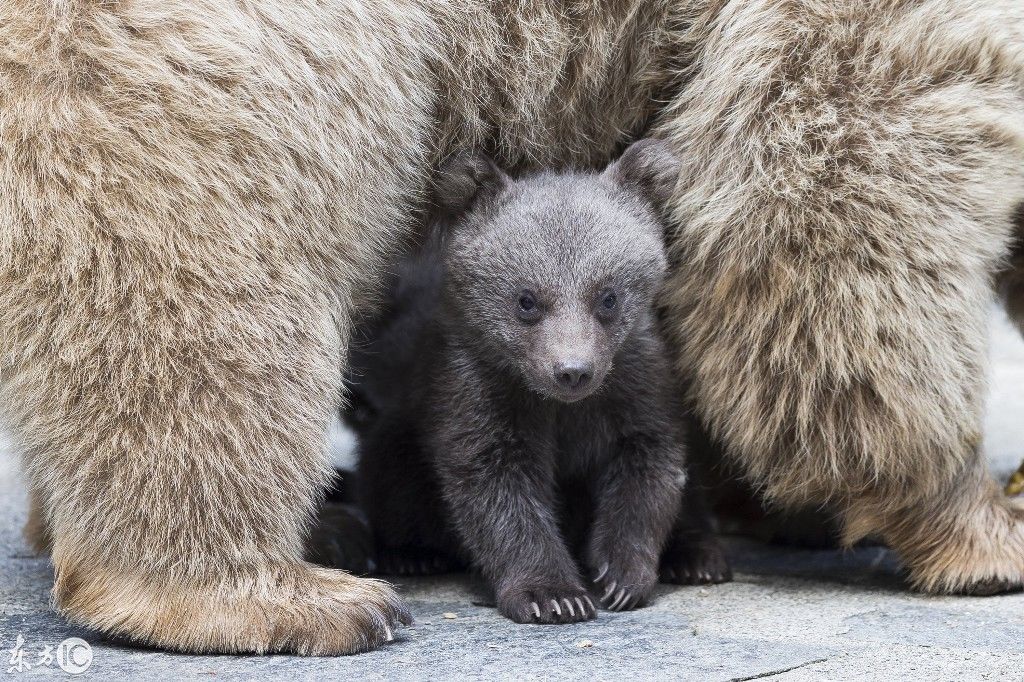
point(197, 196)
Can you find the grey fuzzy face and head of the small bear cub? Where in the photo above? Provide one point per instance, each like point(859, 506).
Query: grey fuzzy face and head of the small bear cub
point(553, 273)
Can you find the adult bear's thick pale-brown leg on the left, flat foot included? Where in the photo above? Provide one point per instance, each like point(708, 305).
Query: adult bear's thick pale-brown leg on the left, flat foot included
point(195, 198)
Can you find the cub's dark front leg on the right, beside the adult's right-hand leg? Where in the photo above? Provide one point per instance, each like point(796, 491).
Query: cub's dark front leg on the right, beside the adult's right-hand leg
point(637, 503)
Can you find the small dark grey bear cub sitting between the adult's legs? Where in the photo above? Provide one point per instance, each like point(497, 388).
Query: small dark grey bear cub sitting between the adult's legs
point(516, 407)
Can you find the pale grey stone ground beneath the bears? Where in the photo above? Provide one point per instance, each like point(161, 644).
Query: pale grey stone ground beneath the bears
point(791, 615)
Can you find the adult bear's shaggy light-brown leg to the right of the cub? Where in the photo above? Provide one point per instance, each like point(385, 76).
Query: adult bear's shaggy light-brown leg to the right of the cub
point(846, 204)
